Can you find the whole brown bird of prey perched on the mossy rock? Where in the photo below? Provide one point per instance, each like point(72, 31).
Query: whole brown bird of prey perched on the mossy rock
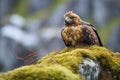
point(77, 32)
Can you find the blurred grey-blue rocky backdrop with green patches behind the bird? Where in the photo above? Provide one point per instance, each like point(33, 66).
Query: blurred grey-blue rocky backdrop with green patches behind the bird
point(27, 25)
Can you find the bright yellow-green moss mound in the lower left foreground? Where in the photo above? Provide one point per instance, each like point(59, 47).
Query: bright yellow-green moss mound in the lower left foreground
point(39, 72)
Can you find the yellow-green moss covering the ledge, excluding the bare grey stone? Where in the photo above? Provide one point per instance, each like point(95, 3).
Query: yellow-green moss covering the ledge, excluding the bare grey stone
point(63, 65)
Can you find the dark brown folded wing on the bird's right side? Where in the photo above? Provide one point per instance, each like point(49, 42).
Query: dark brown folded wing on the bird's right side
point(91, 35)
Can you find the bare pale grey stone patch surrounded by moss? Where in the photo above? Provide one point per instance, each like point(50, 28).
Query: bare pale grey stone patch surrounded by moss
point(89, 69)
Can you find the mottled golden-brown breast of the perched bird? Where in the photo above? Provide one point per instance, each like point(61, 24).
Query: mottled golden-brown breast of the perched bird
point(72, 35)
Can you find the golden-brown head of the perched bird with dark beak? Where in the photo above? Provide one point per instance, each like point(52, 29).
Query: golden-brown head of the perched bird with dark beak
point(72, 19)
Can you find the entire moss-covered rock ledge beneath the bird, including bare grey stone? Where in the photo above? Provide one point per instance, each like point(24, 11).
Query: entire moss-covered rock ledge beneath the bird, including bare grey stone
point(80, 63)
